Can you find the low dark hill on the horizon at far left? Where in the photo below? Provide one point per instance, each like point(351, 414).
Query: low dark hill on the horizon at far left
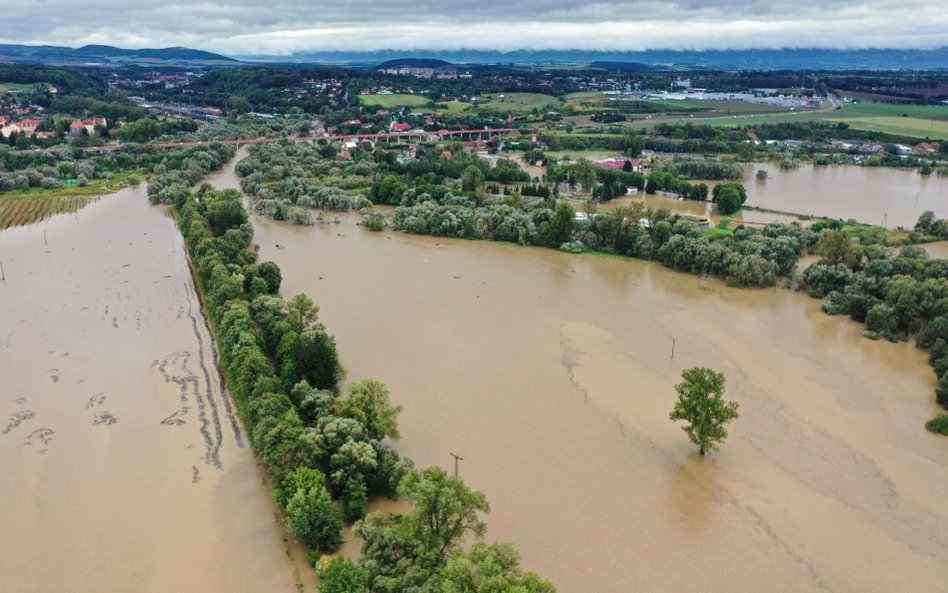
point(107, 55)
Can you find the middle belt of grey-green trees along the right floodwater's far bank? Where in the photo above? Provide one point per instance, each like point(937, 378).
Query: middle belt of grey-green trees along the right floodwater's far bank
point(752, 257)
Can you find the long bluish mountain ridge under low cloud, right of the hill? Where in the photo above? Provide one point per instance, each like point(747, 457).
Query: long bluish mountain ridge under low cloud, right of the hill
point(751, 59)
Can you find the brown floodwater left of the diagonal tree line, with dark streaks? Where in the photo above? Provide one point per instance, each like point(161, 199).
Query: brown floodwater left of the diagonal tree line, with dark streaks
point(124, 465)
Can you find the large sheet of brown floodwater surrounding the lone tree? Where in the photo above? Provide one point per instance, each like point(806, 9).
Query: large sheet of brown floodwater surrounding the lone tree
point(551, 375)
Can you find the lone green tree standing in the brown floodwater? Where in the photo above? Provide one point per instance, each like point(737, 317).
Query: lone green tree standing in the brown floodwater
point(701, 405)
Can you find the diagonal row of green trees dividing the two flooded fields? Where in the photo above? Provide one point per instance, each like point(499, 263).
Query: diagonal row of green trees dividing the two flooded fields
point(325, 450)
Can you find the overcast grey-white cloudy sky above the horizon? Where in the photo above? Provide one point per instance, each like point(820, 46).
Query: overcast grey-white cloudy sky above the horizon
point(241, 27)
